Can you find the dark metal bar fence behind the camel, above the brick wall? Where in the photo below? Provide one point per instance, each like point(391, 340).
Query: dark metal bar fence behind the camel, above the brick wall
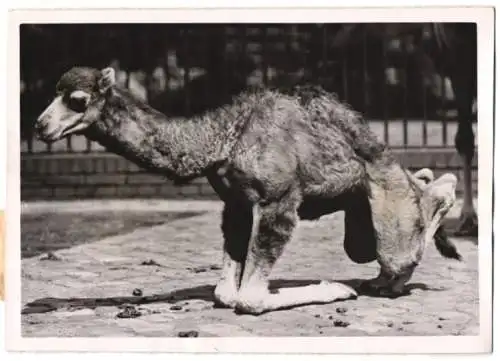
point(186, 69)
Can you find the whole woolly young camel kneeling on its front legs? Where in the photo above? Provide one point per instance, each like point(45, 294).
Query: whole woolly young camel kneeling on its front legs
point(273, 159)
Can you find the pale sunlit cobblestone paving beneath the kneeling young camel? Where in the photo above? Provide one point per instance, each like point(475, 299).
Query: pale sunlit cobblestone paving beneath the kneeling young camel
point(88, 291)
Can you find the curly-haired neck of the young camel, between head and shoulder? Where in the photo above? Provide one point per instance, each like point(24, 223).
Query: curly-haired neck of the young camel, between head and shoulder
point(178, 148)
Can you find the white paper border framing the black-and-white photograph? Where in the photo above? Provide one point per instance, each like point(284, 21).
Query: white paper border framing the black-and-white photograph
point(483, 16)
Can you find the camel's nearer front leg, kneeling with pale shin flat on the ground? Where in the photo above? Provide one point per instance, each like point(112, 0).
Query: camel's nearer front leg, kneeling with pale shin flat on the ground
point(272, 229)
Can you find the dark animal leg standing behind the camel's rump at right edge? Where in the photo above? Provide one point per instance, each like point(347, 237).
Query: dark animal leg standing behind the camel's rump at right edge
point(464, 143)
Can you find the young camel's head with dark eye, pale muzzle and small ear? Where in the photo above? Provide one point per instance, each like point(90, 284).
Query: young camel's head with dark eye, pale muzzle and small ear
point(80, 95)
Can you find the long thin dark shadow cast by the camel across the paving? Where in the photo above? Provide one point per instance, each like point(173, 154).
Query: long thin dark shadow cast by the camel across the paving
point(203, 292)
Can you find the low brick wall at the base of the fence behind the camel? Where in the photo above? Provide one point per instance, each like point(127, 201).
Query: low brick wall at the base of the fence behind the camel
point(104, 175)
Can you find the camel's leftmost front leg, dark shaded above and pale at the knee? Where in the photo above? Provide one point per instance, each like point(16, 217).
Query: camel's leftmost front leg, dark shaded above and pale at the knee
point(236, 228)
